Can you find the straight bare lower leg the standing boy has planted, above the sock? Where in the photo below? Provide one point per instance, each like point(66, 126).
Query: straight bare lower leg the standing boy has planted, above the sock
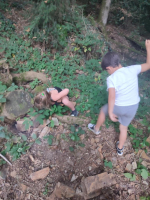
point(123, 135)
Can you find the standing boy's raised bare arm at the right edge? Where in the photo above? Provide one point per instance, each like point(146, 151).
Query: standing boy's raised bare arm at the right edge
point(146, 66)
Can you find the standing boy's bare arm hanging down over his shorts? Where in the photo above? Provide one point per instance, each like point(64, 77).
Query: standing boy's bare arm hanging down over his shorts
point(111, 103)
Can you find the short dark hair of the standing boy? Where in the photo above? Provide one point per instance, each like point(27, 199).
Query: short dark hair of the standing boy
point(110, 59)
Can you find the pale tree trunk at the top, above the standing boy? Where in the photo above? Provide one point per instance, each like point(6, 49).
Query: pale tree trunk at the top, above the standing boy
point(104, 11)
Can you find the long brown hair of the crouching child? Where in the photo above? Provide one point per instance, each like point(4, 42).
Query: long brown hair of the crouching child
point(43, 100)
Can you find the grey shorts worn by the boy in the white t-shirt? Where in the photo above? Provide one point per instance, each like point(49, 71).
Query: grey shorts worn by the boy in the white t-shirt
point(125, 114)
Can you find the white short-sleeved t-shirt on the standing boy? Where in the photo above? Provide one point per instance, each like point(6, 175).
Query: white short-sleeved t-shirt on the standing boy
point(125, 82)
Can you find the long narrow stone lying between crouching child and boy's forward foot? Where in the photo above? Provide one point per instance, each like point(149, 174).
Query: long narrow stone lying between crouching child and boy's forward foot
point(73, 120)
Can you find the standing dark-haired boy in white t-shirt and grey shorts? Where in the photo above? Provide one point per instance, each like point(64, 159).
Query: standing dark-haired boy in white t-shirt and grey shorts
point(123, 94)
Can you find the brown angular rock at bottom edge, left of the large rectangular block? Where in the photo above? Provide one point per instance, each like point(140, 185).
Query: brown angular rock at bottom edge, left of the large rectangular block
point(62, 191)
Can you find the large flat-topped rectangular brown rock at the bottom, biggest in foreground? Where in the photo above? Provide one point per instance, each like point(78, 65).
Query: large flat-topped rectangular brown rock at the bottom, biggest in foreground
point(92, 186)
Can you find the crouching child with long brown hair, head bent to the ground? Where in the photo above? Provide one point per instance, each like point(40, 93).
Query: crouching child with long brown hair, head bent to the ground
point(54, 96)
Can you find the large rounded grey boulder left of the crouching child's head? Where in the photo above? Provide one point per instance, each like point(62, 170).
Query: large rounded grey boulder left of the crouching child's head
point(17, 104)
